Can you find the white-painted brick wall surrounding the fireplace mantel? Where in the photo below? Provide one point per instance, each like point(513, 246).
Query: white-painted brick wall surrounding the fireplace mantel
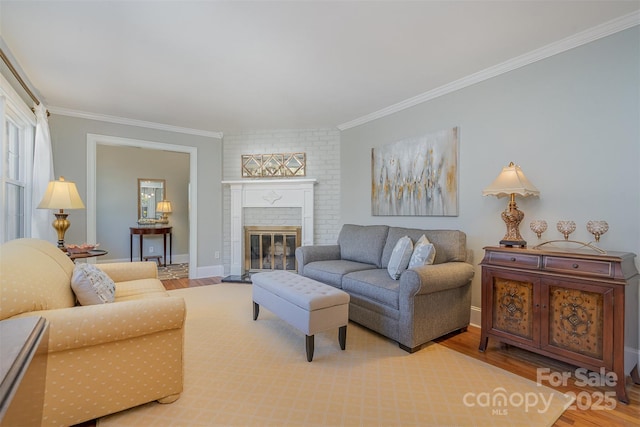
point(322, 147)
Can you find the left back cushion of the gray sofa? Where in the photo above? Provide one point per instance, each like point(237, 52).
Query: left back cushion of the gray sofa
point(364, 243)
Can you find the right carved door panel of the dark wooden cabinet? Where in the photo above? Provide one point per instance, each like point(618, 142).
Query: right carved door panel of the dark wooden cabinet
point(578, 316)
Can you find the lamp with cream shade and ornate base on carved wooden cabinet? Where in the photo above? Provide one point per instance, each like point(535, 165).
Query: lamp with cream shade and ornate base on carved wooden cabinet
point(510, 182)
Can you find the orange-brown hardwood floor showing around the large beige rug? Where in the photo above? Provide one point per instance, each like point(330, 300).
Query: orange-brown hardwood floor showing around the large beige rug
point(522, 363)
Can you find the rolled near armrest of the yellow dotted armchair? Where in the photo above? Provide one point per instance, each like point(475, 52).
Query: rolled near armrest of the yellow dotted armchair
point(84, 326)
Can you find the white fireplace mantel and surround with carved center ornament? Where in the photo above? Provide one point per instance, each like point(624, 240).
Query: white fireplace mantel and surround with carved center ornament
point(268, 193)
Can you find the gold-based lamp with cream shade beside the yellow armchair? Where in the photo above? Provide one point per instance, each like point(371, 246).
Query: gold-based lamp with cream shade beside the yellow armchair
point(61, 195)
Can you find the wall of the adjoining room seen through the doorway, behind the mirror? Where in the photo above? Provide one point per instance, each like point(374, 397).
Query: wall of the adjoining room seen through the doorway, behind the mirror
point(117, 171)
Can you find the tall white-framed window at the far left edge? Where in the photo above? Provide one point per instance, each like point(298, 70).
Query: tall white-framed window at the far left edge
point(17, 124)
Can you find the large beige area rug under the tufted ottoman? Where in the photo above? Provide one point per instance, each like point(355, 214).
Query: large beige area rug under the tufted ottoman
point(240, 372)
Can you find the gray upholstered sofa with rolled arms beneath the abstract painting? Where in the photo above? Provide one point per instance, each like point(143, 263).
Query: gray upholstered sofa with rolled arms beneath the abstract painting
point(425, 303)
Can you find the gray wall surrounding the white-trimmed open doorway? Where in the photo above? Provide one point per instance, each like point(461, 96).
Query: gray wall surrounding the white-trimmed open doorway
point(69, 142)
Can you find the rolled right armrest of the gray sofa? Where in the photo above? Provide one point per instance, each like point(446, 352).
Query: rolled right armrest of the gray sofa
point(427, 279)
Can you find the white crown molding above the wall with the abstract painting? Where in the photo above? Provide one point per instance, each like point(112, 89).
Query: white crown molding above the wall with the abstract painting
point(603, 30)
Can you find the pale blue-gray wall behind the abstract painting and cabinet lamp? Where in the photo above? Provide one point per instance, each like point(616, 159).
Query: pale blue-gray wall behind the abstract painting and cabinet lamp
point(570, 121)
